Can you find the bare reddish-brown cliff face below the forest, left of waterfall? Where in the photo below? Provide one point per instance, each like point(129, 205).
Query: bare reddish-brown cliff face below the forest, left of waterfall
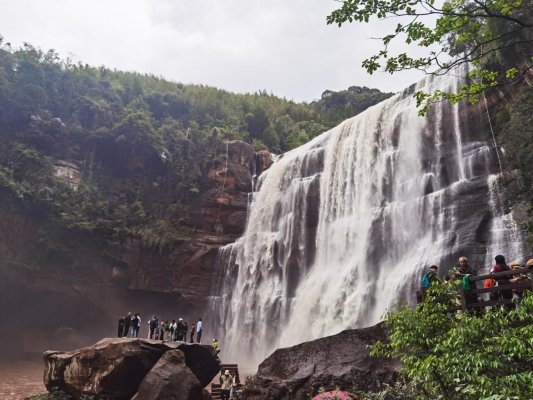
point(79, 300)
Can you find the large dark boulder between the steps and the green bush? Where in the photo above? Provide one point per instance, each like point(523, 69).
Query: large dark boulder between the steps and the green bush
point(340, 360)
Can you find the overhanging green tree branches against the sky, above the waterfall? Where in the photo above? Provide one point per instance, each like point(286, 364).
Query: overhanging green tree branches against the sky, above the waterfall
point(494, 36)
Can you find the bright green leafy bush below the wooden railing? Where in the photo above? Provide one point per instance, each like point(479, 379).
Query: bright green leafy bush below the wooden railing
point(460, 356)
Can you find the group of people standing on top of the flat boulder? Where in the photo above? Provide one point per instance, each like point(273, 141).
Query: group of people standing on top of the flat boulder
point(166, 330)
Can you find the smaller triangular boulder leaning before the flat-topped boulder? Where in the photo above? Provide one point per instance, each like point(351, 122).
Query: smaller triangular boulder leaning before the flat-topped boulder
point(170, 379)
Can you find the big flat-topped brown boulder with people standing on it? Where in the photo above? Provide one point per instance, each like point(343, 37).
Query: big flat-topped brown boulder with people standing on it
point(115, 368)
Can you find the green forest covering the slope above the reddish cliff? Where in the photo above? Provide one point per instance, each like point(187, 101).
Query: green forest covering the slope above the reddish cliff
point(142, 144)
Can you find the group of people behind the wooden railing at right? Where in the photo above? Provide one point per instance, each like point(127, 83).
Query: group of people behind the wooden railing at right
point(463, 272)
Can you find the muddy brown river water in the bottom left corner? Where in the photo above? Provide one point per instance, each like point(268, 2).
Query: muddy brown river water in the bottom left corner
point(21, 379)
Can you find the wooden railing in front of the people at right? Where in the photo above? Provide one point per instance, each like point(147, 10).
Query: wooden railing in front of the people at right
point(481, 303)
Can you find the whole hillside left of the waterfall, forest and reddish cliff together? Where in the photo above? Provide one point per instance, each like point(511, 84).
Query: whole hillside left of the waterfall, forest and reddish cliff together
point(117, 189)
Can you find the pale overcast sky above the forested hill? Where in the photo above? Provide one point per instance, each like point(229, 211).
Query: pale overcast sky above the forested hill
point(283, 46)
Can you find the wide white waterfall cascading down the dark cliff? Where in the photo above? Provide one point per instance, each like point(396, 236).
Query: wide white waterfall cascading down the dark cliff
point(341, 228)
